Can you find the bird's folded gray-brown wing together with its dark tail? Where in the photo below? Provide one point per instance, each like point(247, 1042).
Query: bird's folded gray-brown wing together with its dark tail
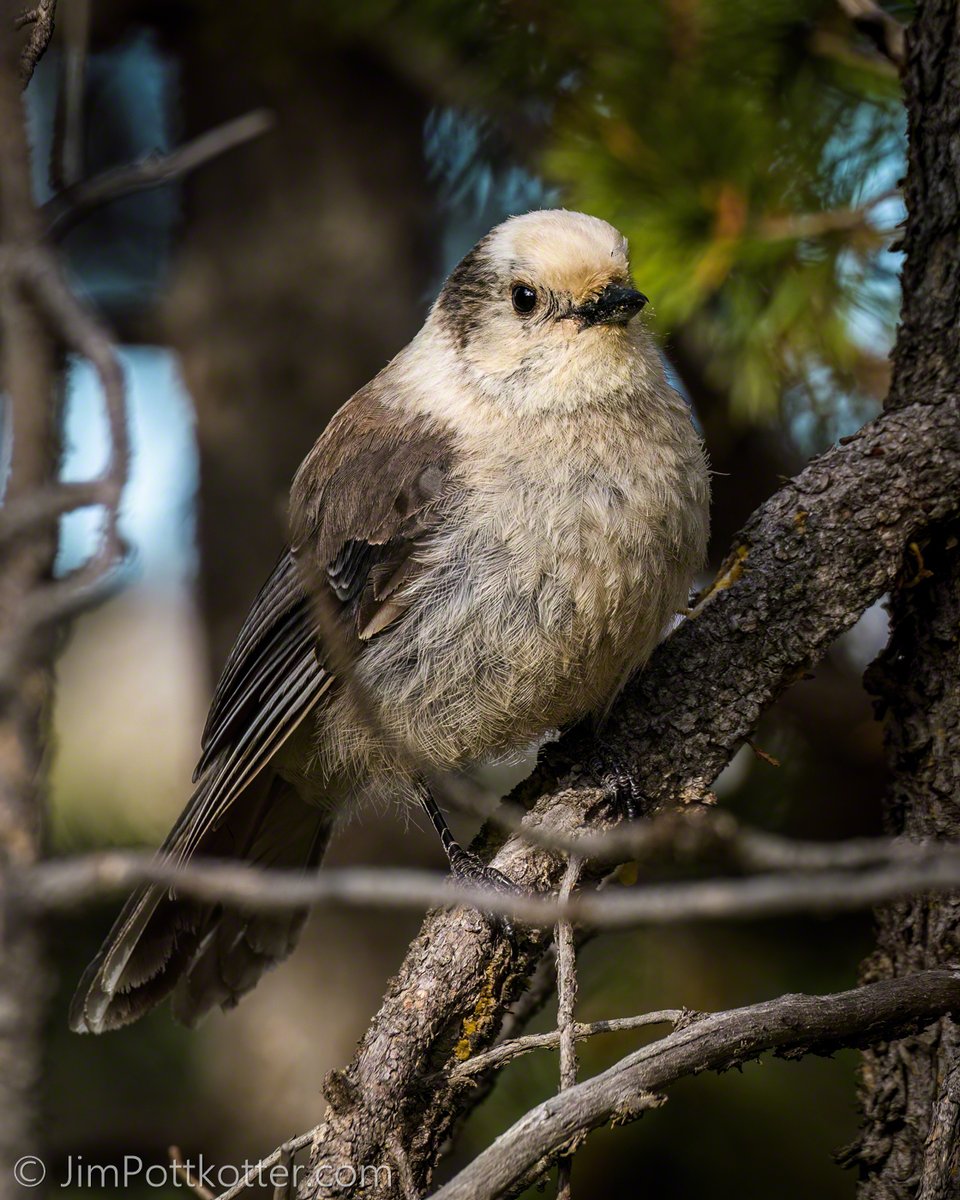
point(358, 514)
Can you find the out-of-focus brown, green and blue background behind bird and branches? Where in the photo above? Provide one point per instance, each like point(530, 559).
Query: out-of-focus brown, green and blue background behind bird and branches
point(751, 151)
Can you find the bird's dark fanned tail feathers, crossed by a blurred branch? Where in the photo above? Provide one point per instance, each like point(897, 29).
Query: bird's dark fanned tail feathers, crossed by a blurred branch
point(205, 955)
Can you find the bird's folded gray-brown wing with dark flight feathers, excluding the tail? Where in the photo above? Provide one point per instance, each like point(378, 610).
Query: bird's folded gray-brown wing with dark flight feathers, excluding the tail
point(370, 505)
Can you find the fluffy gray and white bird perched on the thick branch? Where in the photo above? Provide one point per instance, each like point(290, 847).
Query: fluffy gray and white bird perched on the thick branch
point(485, 544)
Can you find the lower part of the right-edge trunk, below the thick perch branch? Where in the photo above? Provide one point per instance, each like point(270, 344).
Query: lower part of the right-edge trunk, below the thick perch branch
point(911, 1089)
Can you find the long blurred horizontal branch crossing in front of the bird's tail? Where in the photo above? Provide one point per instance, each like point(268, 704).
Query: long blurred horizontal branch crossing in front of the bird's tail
point(62, 885)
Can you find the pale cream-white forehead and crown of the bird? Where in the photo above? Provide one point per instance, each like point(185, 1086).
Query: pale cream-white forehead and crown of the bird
point(568, 251)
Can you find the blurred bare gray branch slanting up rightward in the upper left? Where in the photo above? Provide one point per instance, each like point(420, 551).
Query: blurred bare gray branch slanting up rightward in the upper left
point(71, 206)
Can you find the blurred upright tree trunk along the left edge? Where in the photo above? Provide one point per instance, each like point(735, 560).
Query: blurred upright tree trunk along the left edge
point(28, 380)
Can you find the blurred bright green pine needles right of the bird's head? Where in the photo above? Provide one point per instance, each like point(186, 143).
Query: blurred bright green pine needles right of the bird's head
point(740, 147)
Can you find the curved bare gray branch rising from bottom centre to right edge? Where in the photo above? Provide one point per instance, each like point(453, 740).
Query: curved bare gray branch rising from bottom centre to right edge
point(790, 1027)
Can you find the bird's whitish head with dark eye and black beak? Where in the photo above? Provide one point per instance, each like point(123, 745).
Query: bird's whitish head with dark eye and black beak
point(542, 313)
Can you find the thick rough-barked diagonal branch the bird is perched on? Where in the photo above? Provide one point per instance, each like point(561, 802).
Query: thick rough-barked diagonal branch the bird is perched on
point(809, 562)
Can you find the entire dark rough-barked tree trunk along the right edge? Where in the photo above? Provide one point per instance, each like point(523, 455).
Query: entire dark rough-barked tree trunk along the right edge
point(910, 1090)
